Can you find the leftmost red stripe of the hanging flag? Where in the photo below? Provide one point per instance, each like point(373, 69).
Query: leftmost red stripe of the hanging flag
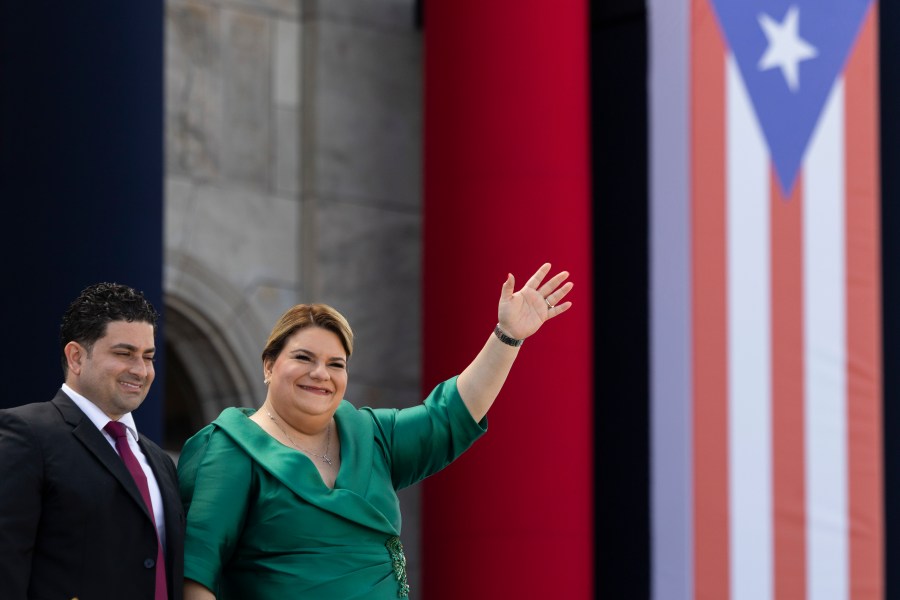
point(710, 364)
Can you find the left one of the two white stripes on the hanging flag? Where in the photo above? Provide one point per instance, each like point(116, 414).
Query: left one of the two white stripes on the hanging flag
point(749, 339)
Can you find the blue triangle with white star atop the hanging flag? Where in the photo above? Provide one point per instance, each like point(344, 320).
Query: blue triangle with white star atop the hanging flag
point(789, 54)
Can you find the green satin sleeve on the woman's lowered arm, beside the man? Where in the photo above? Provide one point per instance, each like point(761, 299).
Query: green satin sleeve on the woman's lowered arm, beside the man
point(215, 478)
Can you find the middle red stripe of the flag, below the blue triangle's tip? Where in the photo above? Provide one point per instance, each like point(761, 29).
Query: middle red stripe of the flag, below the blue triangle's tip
point(788, 485)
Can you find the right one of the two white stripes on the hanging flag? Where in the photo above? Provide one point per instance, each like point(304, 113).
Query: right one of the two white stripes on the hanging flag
point(826, 356)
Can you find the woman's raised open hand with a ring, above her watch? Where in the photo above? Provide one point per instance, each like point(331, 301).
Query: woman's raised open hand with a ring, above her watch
point(522, 313)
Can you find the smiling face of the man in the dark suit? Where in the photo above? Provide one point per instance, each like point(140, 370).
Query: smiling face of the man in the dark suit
point(117, 373)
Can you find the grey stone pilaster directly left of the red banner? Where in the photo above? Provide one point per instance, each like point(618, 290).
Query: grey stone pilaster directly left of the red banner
point(361, 198)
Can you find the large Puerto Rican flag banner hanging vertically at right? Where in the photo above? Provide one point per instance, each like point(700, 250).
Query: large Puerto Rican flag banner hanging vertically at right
point(767, 474)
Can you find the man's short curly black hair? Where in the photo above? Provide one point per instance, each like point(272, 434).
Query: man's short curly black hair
point(86, 318)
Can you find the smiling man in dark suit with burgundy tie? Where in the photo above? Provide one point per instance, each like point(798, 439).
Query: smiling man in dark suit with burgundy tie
point(90, 510)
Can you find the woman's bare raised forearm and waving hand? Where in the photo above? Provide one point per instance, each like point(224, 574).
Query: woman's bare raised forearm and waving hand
point(520, 314)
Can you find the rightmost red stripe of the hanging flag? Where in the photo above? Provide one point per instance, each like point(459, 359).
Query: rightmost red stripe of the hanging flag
point(864, 393)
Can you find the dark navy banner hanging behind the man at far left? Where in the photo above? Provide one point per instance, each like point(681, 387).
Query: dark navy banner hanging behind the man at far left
point(81, 170)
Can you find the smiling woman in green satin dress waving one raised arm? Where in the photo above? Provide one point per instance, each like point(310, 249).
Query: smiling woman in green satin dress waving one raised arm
point(298, 499)
